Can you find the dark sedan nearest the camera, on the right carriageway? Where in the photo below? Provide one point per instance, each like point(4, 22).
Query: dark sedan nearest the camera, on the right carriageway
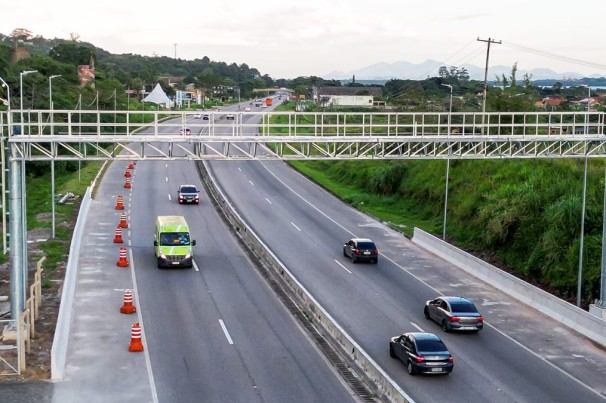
point(422, 353)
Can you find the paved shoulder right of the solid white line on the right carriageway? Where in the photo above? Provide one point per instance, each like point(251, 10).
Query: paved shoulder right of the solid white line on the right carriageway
point(564, 347)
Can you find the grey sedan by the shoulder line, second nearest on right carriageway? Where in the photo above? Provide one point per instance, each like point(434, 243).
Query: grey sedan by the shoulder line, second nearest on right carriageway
point(454, 313)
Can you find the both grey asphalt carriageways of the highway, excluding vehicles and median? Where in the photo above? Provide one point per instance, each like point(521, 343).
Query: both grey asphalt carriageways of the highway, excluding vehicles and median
point(218, 332)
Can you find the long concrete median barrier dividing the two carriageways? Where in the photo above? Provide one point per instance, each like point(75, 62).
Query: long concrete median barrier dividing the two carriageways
point(363, 364)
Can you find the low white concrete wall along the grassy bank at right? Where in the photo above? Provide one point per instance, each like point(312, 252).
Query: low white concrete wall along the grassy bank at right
point(562, 311)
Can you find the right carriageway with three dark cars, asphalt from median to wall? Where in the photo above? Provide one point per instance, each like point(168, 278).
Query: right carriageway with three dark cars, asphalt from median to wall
point(520, 356)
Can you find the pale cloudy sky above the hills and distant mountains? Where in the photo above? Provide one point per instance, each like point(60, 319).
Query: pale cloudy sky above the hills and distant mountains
point(288, 39)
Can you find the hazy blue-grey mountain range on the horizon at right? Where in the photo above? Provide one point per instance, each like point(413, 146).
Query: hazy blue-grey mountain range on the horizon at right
point(429, 68)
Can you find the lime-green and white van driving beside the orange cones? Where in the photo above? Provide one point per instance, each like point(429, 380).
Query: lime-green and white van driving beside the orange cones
point(173, 243)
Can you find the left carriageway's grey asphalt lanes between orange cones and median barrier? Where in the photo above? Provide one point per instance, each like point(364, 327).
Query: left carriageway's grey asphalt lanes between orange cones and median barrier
point(227, 288)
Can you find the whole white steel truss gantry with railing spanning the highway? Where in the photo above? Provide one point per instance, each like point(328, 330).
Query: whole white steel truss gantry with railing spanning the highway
point(121, 135)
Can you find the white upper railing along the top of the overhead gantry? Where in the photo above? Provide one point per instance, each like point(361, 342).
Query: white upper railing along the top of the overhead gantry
point(319, 124)
